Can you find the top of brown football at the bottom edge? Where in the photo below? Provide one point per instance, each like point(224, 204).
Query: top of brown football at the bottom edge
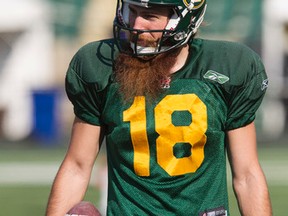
point(83, 208)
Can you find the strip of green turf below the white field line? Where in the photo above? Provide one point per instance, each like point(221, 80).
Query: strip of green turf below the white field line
point(31, 200)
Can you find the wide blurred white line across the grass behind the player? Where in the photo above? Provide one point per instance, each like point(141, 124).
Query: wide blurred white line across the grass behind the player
point(32, 173)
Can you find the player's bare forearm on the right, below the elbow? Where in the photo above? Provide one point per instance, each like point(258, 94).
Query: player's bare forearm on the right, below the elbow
point(253, 196)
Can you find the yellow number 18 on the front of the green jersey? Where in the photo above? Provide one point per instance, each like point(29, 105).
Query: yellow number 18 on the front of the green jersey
point(169, 134)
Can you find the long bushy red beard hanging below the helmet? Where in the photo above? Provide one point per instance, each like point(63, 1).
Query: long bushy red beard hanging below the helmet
point(139, 77)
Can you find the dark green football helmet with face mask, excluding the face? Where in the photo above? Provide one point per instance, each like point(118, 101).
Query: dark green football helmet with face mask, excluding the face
point(187, 15)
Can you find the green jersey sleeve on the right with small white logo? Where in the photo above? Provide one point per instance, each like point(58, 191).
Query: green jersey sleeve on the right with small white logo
point(247, 94)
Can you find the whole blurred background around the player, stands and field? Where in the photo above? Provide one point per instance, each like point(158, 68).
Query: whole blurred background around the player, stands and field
point(38, 38)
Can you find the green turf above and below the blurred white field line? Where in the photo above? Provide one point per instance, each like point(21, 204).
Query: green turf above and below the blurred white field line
point(31, 200)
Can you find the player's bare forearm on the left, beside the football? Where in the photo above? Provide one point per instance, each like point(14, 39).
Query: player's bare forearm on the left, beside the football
point(68, 189)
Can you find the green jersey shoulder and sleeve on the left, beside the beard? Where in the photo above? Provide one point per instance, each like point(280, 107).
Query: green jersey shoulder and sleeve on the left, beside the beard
point(87, 77)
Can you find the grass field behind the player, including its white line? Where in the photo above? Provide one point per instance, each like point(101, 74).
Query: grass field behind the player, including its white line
point(19, 197)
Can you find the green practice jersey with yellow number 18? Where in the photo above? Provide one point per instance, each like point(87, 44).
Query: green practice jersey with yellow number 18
point(167, 156)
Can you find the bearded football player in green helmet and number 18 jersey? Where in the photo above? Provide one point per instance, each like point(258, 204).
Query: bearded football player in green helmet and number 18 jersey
point(170, 106)
